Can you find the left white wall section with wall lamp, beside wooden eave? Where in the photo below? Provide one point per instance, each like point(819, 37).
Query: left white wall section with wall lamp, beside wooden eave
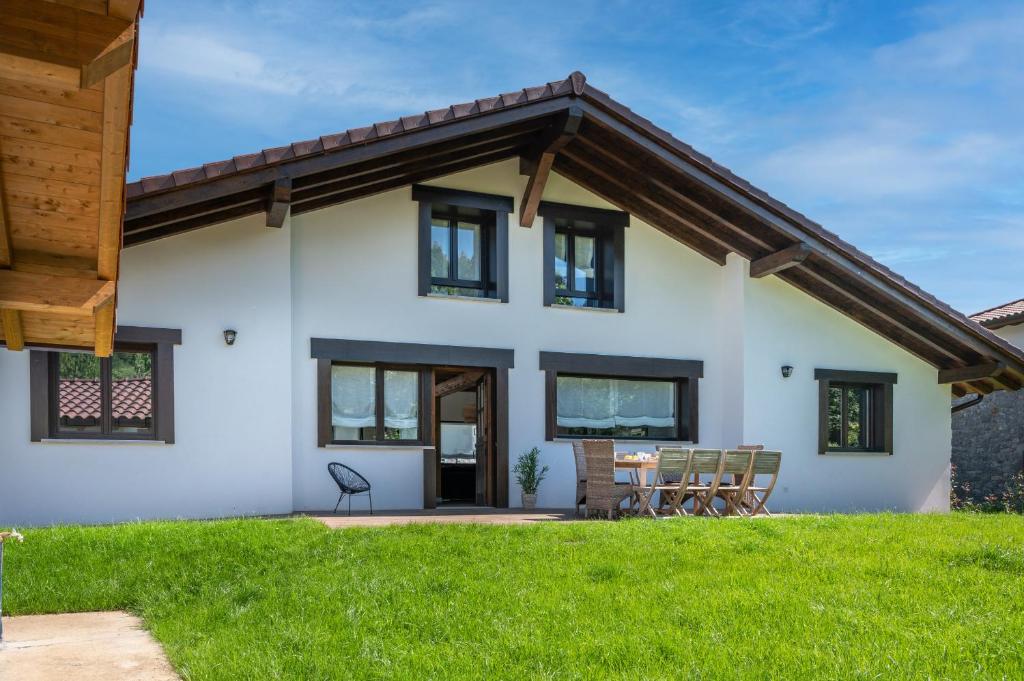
point(233, 431)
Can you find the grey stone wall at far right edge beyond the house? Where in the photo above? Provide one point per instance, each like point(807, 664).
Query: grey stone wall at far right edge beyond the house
point(989, 443)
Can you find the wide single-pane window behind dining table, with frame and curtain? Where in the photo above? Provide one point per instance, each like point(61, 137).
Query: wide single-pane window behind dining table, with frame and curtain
point(593, 396)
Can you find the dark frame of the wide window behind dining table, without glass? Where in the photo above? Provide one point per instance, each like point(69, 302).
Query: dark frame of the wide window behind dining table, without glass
point(685, 373)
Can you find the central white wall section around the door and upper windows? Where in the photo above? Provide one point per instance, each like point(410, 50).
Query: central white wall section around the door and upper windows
point(355, 281)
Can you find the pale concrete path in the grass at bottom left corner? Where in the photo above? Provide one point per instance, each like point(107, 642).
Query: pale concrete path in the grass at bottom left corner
point(81, 647)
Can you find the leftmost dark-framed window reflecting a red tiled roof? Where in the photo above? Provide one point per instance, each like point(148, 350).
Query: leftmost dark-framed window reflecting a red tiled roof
point(130, 396)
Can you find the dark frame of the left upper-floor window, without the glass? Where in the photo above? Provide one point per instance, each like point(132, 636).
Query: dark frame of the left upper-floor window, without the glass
point(491, 212)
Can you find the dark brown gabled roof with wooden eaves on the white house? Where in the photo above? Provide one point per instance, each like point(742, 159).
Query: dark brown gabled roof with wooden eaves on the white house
point(615, 154)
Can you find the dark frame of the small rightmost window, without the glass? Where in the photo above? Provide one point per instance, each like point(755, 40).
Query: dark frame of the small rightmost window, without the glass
point(879, 388)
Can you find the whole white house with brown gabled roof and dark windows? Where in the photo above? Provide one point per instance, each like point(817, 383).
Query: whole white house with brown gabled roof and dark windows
point(426, 299)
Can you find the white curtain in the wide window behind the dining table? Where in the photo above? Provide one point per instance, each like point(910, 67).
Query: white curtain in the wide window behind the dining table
point(607, 403)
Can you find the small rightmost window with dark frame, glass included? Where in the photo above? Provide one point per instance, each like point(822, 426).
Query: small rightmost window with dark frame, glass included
point(856, 411)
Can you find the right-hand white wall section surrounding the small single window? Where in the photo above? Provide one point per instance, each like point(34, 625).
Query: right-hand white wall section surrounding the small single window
point(787, 327)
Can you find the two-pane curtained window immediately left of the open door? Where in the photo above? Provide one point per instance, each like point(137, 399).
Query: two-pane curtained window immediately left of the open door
point(375, 405)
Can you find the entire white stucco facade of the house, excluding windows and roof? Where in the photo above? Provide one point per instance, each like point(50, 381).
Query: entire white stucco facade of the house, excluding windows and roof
point(246, 416)
